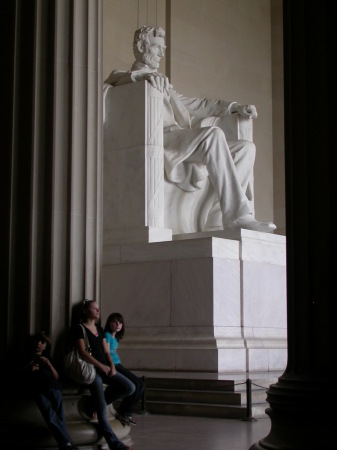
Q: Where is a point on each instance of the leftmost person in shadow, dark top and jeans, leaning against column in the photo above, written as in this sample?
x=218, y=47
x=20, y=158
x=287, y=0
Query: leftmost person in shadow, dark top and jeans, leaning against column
x=43, y=377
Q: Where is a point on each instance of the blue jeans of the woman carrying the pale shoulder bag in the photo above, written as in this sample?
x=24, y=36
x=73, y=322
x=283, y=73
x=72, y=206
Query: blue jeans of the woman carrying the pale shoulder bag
x=117, y=388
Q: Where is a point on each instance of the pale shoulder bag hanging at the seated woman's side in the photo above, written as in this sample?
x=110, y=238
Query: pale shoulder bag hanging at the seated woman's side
x=76, y=368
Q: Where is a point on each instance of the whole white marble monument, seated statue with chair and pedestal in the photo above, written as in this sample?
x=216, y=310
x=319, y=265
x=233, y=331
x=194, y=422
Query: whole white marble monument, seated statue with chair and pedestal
x=211, y=299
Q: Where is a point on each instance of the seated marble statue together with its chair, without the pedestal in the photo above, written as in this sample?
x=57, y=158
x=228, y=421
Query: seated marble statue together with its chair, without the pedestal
x=148, y=125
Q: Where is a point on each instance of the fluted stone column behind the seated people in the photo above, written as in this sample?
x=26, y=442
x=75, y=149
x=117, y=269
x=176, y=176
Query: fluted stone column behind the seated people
x=53, y=135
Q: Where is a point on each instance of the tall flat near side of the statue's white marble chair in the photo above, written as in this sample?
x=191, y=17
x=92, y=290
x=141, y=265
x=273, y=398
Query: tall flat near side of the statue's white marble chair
x=133, y=186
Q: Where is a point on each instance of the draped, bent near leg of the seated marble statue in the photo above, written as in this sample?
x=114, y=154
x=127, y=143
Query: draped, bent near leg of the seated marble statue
x=208, y=146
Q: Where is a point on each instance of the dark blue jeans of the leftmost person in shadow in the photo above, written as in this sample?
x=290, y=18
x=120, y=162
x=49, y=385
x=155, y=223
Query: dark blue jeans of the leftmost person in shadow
x=51, y=407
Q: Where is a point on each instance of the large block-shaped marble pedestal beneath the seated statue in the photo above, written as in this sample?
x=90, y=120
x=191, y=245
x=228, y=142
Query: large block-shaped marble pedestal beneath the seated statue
x=213, y=303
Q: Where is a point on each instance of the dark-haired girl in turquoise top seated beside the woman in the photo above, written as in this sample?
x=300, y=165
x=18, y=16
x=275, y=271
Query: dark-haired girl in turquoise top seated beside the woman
x=114, y=332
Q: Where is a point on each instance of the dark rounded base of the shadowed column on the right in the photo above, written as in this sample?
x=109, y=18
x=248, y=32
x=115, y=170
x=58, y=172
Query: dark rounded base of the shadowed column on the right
x=302, y=416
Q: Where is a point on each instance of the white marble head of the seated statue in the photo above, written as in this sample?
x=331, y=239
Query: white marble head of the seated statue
x=149, y=45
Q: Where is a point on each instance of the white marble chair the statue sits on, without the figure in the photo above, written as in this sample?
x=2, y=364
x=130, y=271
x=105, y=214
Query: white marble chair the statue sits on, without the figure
x=139, y=203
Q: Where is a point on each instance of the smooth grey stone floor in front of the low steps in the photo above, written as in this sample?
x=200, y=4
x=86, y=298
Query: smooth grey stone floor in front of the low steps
x=161, y=432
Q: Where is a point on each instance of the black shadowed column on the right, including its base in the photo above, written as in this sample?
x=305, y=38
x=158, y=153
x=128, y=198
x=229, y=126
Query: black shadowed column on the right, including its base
x=302, y=402
